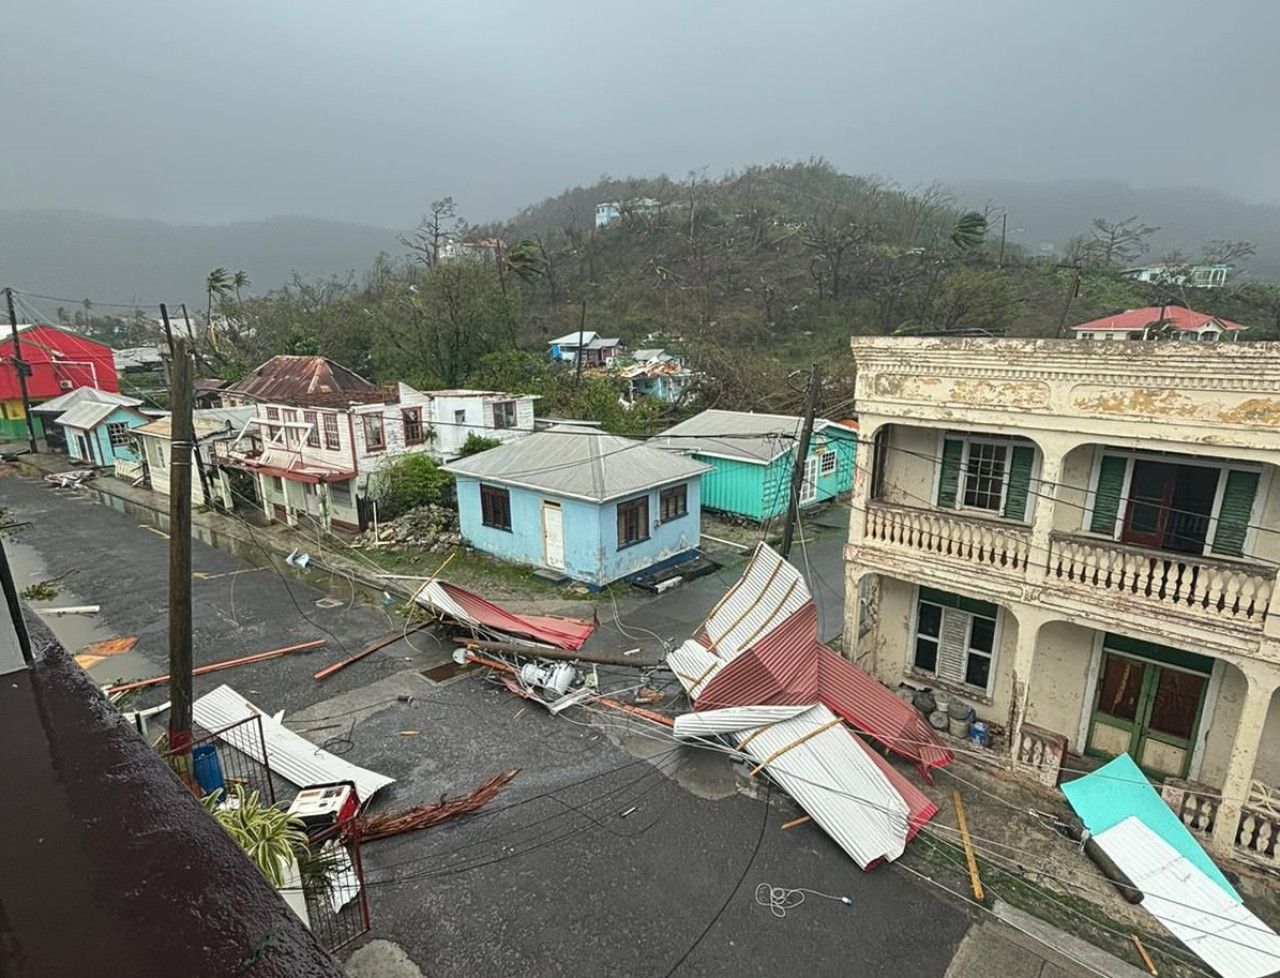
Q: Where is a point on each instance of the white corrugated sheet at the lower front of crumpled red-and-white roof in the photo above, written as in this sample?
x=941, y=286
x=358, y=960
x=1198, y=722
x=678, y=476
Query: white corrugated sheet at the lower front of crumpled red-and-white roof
x=834, y=778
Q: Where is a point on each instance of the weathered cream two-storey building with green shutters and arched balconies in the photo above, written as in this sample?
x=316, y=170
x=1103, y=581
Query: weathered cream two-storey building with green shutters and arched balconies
x=1080, y=542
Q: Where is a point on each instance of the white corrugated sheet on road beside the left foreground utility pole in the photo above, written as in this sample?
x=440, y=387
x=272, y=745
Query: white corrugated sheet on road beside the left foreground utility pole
x=290, y=756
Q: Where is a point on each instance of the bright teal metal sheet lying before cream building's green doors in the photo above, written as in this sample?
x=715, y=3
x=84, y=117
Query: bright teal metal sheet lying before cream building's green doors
x=1118, y=790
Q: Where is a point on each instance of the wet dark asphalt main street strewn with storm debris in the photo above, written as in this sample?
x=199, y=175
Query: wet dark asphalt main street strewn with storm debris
x=555, y=880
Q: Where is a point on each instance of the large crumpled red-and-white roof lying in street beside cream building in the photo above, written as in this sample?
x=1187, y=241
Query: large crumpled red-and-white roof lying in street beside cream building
x=762, y=678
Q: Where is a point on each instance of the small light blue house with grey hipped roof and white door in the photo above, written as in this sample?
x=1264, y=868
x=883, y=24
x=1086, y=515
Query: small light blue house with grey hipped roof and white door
x=592, y=506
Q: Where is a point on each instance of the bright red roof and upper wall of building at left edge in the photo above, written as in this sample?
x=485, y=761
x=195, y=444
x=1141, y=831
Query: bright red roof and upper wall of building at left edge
x=57, y=358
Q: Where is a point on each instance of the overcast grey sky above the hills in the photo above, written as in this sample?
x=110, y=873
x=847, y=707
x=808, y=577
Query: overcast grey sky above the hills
x=367, y=109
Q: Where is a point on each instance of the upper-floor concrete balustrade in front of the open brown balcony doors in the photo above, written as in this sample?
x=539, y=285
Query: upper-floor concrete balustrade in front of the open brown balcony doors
x=1223, y=592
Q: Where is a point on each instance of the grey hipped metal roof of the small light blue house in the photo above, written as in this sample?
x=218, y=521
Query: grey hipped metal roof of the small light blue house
x=578, y=463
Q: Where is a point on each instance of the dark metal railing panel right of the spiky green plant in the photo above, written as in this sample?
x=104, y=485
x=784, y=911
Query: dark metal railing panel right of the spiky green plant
x=337, y=901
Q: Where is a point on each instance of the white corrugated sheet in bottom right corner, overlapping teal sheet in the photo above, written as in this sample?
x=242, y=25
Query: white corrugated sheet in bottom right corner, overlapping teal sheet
x=1197, y=912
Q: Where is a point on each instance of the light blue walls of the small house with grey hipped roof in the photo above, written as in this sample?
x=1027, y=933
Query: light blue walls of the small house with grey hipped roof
x=592, y=551
